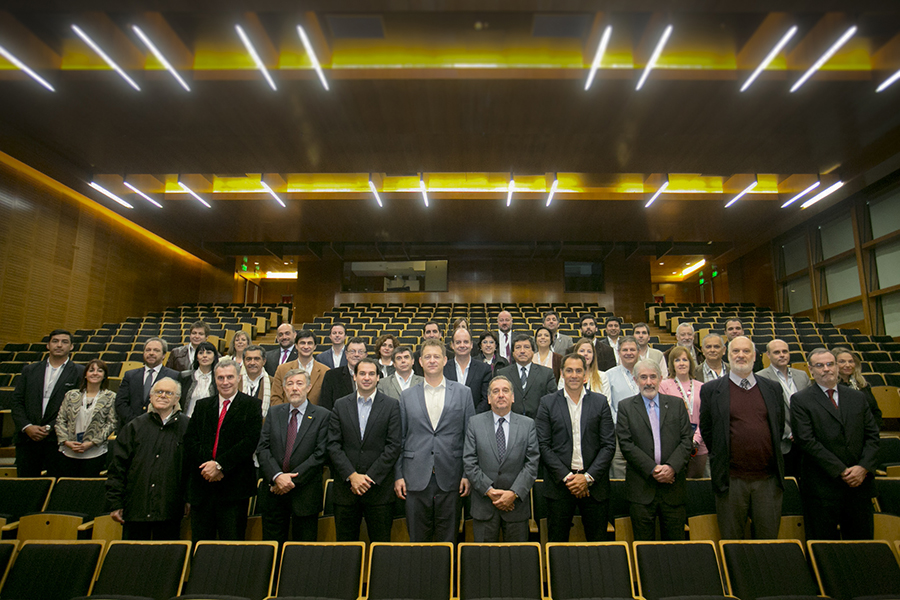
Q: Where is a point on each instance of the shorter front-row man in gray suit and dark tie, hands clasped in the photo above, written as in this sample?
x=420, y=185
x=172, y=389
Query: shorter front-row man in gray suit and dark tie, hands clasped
x=501, y=460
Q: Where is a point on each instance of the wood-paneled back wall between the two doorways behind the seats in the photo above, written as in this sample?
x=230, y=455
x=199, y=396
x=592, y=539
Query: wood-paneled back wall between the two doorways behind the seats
x=318, y=287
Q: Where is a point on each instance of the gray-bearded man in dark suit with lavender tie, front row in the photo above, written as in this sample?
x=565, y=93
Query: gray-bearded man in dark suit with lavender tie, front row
x=655, y=435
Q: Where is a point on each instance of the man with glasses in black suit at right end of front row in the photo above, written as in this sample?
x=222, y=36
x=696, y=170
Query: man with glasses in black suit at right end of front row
x=837, y=433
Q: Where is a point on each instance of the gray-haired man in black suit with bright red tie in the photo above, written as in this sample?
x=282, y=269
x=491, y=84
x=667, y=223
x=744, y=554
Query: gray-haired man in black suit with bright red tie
x=219, y=444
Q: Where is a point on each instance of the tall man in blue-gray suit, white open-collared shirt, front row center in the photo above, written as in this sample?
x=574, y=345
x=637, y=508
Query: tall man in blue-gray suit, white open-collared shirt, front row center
x=429, y=473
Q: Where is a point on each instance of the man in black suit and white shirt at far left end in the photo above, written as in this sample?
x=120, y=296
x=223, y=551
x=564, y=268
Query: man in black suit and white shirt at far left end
x=35, y=403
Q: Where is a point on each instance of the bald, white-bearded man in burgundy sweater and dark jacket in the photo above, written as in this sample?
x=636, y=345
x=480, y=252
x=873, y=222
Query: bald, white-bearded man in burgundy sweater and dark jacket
x=742, y=422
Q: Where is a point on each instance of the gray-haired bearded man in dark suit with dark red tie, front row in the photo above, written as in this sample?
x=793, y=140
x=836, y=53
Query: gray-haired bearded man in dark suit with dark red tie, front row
x=292, y=451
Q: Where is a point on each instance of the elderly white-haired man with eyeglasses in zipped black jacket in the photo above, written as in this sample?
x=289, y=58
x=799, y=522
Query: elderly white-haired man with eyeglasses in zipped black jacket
x=145, y=485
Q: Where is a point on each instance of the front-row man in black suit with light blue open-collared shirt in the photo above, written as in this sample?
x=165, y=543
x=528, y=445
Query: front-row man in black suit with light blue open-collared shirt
x=363, y=444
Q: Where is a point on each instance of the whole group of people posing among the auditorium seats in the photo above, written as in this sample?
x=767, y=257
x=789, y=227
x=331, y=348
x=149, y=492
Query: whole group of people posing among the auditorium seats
x=433, y=425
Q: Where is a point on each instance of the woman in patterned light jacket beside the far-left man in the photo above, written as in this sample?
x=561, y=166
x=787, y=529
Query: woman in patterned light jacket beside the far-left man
x=86, y=419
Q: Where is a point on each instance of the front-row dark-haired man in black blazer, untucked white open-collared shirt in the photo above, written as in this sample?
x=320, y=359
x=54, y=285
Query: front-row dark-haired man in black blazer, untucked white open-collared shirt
x=576, y=459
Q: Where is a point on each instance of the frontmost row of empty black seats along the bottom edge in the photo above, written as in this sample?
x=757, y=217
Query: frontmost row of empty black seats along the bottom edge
x=348, y=571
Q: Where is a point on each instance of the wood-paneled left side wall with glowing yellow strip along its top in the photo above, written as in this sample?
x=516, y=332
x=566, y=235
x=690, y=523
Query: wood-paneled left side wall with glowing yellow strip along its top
x=66, y=261
